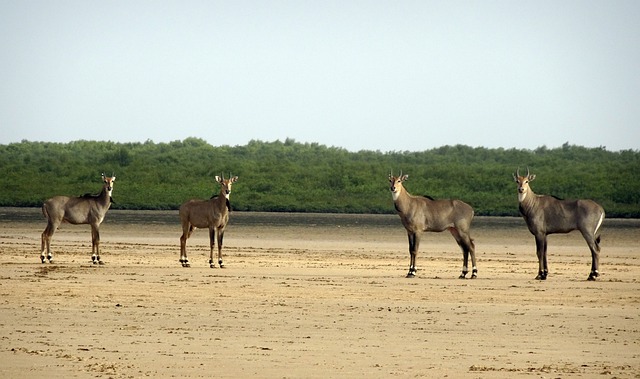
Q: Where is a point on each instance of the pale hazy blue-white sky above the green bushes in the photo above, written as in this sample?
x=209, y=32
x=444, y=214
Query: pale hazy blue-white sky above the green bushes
x=374, y=75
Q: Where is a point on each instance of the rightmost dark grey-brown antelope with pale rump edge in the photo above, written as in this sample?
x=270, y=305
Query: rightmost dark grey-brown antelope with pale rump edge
x=546, y=215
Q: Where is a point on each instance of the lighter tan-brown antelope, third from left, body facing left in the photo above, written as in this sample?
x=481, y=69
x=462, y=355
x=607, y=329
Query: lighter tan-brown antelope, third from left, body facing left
x=424, y=214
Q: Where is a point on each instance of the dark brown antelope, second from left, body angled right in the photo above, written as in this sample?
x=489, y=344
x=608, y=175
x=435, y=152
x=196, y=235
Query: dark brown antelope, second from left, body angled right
x=212, y=214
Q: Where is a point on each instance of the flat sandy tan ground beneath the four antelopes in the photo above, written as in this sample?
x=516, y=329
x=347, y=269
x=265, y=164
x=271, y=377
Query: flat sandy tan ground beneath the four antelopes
x=313, y=300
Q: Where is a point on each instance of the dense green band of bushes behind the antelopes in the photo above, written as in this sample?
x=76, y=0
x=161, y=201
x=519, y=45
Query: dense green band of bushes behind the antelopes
x=291, y=176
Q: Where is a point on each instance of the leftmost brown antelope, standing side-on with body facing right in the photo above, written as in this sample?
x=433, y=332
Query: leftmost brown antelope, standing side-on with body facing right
x=86, y=209
